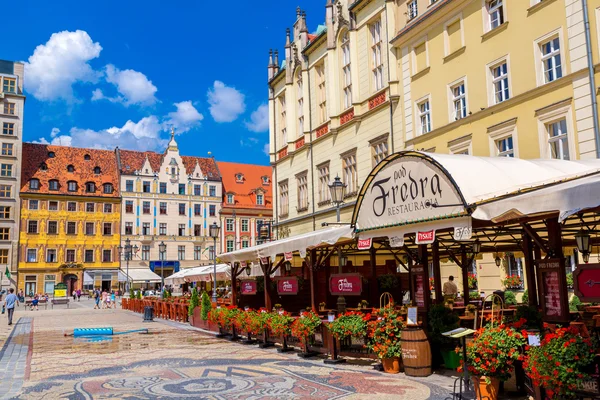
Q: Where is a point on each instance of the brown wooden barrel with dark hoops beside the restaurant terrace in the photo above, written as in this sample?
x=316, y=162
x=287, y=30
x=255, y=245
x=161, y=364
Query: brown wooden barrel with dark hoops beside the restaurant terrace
x=416, y=352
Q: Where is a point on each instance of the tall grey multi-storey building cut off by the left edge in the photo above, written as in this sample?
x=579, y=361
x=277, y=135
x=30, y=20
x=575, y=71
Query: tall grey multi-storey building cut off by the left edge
x=12, y=104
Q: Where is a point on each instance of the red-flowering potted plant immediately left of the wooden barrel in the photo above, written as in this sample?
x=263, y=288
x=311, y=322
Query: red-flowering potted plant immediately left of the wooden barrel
x=384, y=338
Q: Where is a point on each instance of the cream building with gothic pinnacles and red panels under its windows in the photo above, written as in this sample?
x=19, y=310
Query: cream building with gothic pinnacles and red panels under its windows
x=332, y=112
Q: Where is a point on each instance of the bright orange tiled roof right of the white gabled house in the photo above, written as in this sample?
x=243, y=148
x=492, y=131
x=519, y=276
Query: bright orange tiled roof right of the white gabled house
x=245, y=190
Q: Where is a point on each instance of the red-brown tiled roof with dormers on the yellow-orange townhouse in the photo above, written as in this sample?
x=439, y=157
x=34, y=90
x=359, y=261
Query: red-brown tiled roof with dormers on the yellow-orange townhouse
x=35, y=155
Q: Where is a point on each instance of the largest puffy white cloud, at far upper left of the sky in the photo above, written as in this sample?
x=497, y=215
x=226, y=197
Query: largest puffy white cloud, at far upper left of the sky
x=55, y=66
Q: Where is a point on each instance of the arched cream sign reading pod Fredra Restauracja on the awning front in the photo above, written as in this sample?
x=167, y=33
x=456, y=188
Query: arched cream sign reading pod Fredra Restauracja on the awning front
x=408, y=189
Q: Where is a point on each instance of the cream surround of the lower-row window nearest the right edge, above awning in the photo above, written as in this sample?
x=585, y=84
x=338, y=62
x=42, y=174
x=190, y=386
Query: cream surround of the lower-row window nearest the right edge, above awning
x=547, y=117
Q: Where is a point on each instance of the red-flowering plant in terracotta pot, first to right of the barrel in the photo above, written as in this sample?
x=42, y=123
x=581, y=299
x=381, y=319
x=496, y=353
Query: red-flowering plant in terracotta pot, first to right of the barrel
x=491, y=357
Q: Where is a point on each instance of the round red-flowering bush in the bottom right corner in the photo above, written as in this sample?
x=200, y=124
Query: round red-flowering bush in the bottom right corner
x=559, y=363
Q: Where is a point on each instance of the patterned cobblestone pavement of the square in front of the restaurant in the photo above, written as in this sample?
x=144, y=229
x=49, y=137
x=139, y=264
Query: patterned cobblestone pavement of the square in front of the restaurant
x=171, y=362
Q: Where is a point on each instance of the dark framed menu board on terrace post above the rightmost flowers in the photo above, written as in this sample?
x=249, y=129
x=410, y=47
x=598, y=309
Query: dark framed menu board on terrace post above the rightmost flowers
x=553, y=290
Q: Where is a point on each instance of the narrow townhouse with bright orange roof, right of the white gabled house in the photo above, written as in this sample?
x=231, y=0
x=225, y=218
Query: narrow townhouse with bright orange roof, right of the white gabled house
x=247, y=210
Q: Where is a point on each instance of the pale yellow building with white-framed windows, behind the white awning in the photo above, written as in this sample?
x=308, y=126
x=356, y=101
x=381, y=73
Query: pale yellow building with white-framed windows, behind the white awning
x=504, y=78
